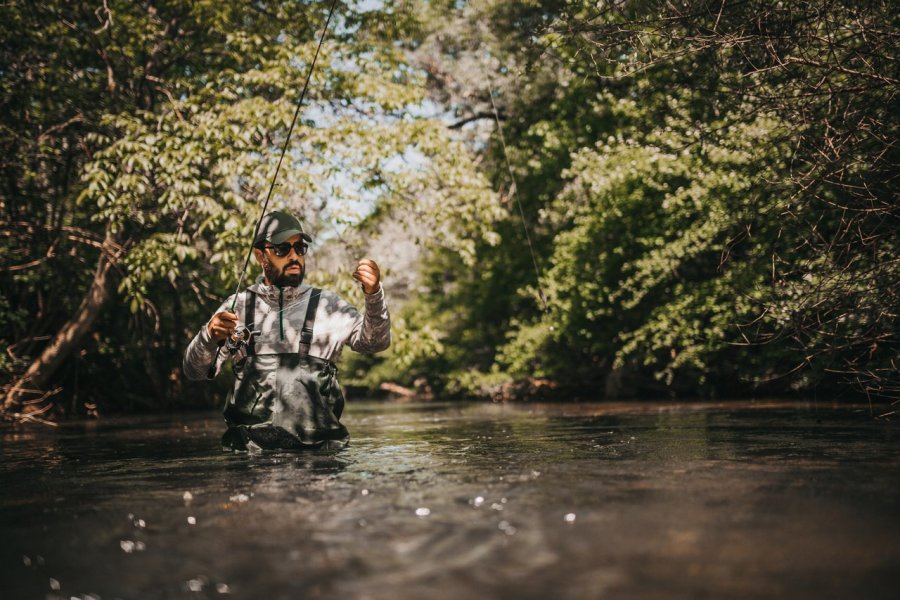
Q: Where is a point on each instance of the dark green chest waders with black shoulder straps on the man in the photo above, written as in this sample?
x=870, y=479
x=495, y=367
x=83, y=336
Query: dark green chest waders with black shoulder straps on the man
x=288, y=401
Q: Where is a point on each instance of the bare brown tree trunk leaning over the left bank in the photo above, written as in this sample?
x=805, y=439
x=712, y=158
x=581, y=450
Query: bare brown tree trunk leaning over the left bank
x=66, y=340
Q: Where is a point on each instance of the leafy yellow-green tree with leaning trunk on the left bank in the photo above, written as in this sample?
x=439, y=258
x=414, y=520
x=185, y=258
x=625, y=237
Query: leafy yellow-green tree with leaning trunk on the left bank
x=184, y=109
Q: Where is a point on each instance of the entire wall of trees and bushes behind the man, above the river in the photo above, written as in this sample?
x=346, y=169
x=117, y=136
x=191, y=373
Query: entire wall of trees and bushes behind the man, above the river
x=709, y=190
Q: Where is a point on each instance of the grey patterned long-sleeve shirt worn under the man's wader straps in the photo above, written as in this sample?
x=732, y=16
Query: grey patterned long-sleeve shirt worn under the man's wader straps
x=278, y=329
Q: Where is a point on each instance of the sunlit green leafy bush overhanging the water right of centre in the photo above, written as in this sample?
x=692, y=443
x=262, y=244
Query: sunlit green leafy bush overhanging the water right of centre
x=637, y=271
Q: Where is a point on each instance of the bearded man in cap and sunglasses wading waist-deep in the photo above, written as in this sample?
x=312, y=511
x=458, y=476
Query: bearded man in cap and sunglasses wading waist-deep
x=286, y=394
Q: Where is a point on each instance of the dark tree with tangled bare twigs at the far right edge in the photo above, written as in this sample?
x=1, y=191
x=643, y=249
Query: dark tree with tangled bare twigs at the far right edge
x=829, y=69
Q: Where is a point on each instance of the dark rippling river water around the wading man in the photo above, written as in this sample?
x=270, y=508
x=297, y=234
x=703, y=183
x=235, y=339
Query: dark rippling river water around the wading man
x=451, y=501
